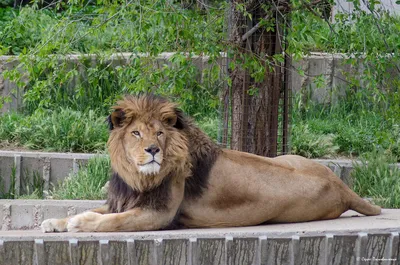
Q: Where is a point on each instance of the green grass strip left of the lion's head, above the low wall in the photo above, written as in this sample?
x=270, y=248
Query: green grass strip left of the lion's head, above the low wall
x=63, y=130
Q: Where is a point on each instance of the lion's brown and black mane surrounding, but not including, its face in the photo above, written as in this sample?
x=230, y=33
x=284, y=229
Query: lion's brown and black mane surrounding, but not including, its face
x=189, y=155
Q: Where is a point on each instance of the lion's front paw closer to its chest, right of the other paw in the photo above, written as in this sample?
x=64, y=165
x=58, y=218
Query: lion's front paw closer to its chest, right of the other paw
x=84, y=222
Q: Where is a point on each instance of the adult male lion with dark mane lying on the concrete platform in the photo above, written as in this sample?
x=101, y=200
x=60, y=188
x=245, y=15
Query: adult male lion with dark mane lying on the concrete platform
x=167, y=172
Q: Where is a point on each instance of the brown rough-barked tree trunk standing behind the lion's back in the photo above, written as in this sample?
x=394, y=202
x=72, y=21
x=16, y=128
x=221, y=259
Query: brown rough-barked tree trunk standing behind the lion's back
x=255, y=105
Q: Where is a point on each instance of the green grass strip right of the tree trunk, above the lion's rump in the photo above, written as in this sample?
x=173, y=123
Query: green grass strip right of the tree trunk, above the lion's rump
x=348, y=129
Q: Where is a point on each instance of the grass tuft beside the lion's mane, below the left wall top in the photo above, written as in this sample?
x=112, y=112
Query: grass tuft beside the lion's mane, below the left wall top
x=87, y=183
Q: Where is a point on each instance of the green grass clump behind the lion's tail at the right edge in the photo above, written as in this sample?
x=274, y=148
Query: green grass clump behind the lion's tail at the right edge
x=376, y=177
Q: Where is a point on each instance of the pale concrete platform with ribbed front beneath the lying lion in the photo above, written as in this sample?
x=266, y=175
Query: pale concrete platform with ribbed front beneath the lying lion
x=351, y=239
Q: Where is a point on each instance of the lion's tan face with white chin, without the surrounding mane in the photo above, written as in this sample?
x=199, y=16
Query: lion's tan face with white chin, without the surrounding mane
x=144, y=144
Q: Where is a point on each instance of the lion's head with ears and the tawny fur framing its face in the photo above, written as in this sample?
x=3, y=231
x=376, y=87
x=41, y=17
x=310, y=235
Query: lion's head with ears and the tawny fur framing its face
x=146, y=142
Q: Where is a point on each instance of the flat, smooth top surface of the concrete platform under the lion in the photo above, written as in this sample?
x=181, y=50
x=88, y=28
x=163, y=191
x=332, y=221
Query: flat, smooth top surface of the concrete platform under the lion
x=349, y=223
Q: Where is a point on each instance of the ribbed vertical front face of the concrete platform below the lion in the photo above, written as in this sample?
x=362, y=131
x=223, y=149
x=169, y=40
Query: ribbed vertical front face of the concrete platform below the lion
x=361, y=248
